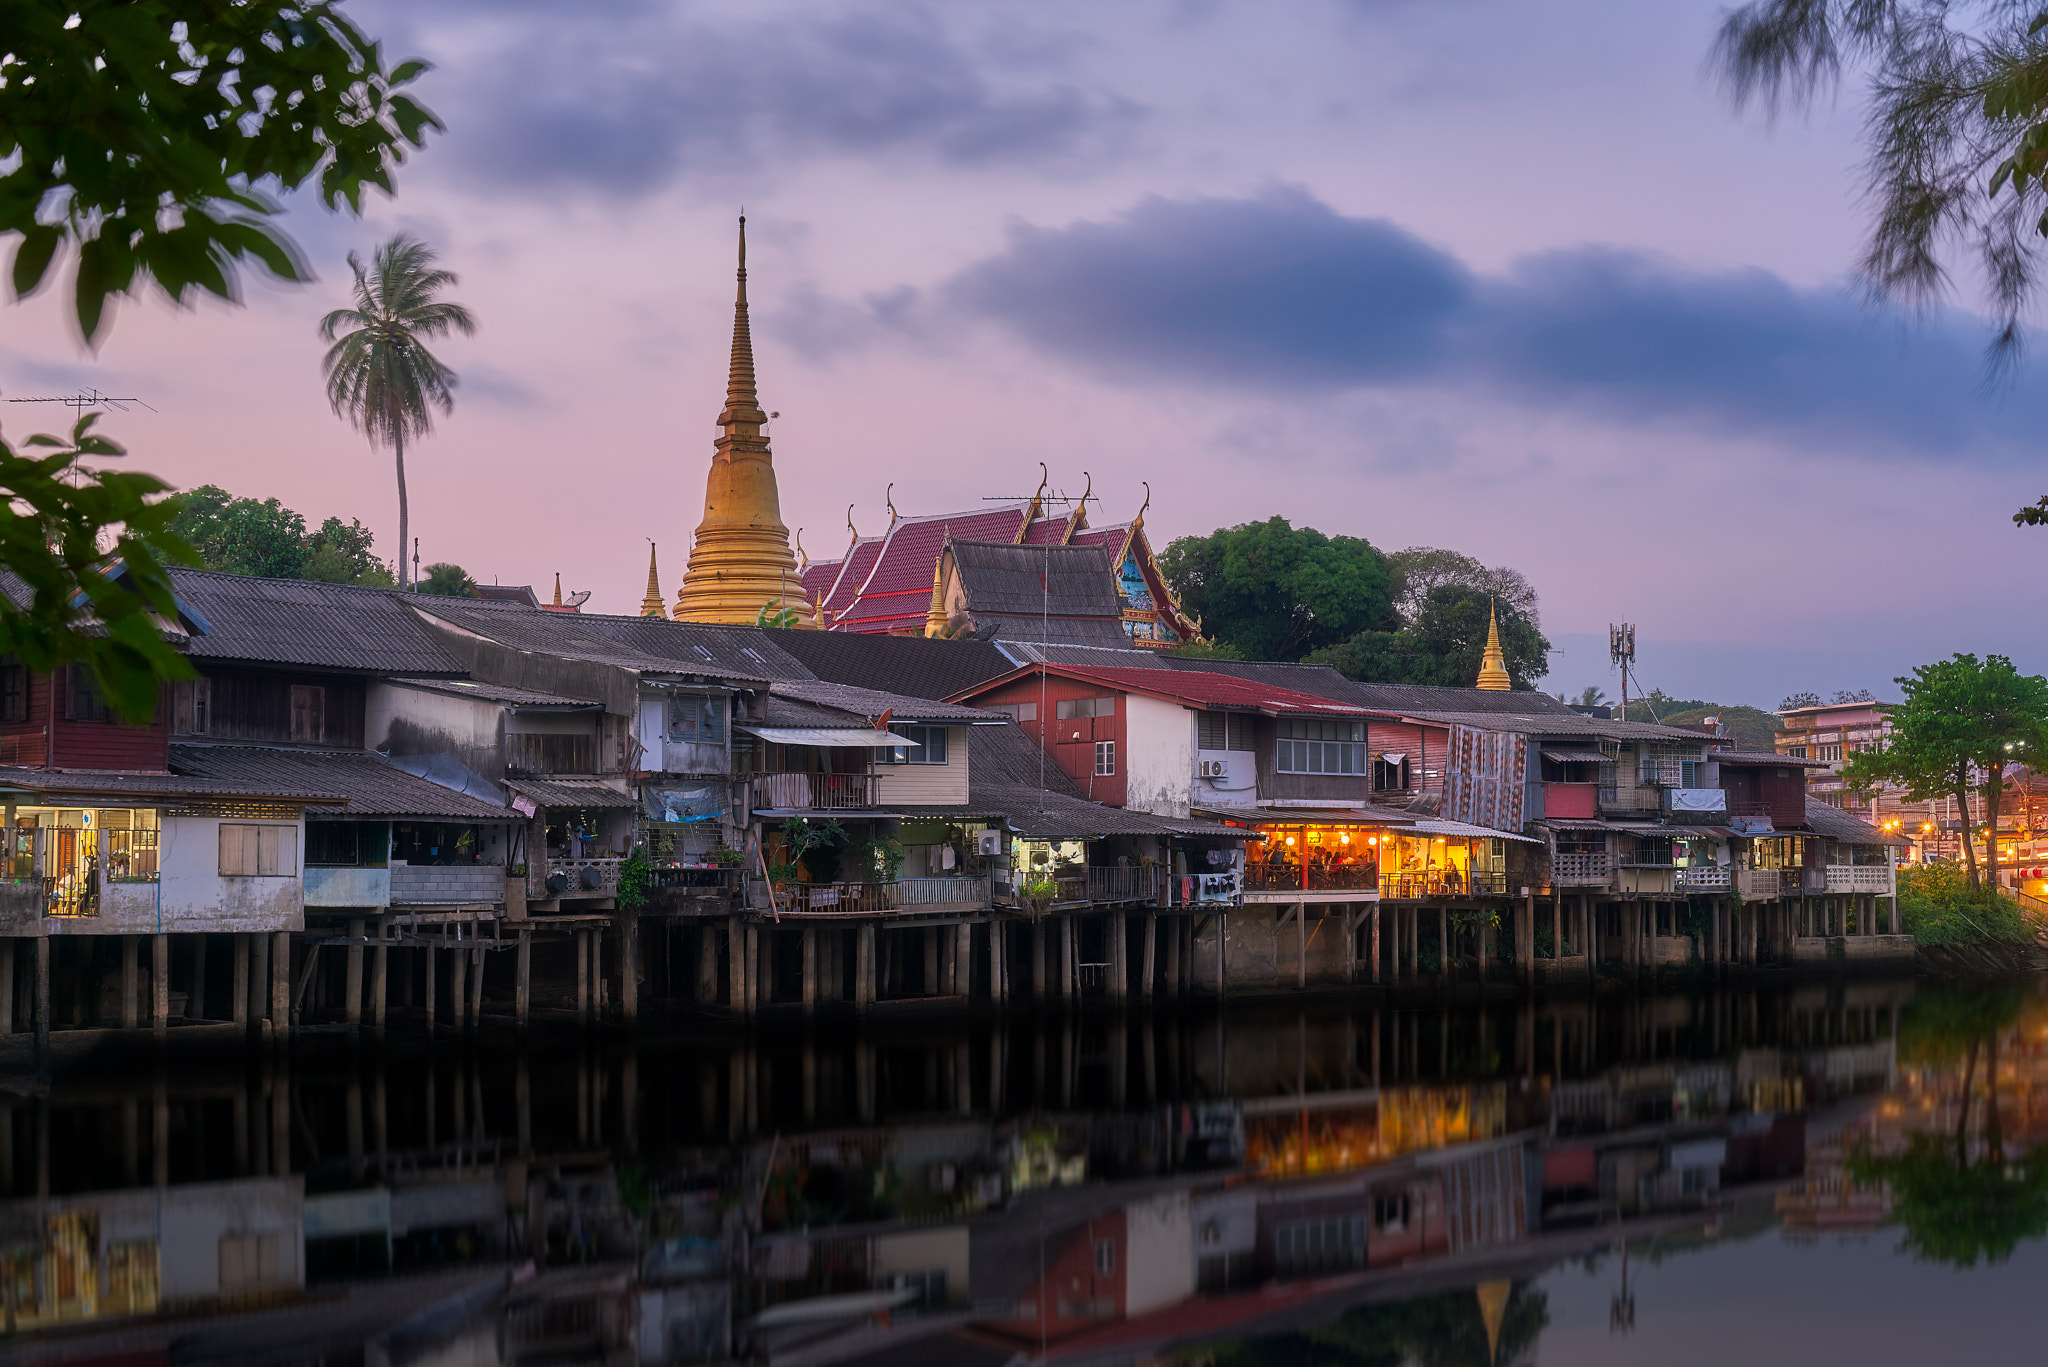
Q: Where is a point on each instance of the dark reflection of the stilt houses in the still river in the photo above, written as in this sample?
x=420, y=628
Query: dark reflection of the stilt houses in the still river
x=1258, y=1188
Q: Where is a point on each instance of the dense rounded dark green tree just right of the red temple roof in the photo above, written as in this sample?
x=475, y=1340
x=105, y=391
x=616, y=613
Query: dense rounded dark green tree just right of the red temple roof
x=1279, y=591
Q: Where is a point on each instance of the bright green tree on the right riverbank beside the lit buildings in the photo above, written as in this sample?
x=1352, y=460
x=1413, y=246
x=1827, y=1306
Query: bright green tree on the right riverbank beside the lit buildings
x=1961, y=727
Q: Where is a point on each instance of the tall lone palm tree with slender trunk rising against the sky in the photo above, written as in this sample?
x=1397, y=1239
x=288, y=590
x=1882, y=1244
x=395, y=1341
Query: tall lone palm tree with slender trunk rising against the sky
x=380, y=372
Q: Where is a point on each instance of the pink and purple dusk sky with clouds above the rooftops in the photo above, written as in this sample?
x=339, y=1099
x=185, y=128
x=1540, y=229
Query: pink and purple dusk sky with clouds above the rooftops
x=1465, y=274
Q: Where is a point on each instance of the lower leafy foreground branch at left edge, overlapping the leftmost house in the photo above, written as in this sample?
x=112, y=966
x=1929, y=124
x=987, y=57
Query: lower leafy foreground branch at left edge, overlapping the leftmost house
x=85, y=558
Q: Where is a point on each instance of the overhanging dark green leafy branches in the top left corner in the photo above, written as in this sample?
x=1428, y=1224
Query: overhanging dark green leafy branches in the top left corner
x=144, y=136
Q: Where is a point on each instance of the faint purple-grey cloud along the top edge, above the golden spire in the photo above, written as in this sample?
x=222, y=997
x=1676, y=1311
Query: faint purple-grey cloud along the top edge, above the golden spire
x=644, y=95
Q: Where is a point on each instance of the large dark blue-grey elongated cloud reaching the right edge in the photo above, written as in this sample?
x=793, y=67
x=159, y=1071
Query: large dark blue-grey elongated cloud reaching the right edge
x=1283, y=292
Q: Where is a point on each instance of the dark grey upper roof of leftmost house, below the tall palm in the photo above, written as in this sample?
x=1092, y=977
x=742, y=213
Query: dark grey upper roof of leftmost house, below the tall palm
x=314, y=626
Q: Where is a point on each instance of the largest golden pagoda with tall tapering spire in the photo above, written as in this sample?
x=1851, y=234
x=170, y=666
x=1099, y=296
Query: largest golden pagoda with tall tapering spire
x=740, y=561
